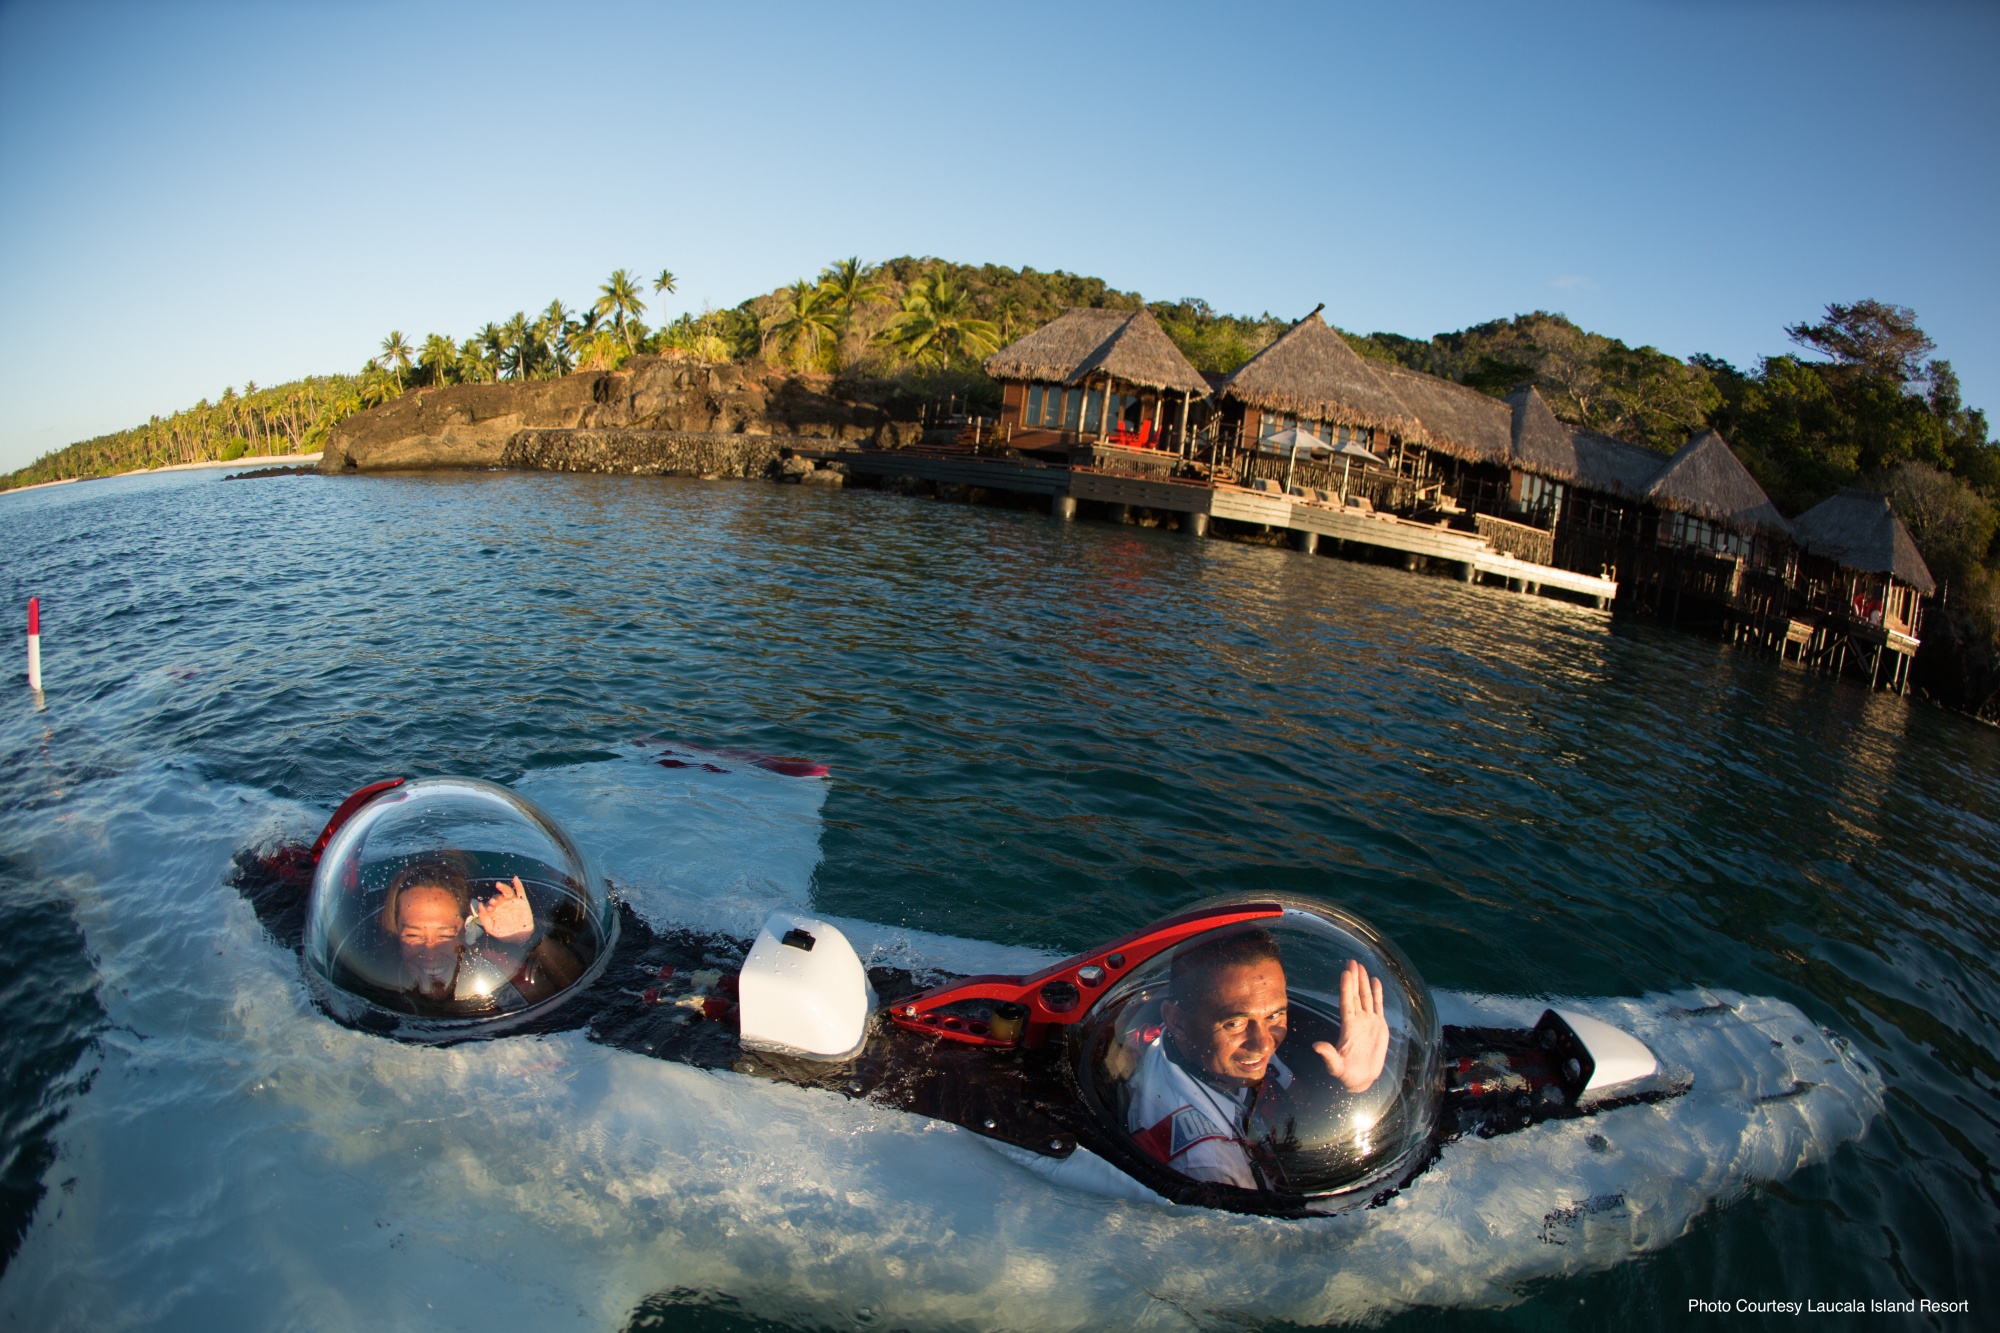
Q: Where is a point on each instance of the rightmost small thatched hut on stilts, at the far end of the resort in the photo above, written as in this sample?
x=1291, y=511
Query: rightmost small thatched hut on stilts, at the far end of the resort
x=1859, y=587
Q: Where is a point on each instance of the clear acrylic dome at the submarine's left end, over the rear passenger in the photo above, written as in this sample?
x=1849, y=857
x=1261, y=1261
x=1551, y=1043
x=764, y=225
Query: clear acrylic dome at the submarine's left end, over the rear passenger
x=451, y=906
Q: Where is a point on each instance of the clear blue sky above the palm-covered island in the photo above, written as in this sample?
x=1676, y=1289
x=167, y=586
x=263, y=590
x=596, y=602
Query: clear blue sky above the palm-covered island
x=203, y=195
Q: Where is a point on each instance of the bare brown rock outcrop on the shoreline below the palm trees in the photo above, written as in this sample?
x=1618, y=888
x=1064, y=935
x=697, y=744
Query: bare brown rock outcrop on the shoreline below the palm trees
x=653, y=415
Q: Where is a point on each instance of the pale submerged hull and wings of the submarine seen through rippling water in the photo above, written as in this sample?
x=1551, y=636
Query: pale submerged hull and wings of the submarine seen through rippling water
x=245, y=1162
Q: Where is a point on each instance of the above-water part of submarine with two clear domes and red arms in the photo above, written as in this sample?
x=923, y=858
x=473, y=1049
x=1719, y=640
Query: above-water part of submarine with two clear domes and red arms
x=1255, y=1054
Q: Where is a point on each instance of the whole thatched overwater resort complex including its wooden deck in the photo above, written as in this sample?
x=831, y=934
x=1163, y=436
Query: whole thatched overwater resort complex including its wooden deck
x=1433, y=473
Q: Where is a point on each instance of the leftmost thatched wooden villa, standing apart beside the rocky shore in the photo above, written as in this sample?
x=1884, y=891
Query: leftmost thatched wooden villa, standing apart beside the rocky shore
x=1107, y=377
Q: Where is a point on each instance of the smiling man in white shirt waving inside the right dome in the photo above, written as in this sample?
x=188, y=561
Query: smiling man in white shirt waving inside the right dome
x=1211, y=1096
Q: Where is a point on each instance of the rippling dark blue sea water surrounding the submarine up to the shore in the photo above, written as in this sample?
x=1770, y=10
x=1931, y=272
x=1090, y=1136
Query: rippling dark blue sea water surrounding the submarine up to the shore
x=1039, y=736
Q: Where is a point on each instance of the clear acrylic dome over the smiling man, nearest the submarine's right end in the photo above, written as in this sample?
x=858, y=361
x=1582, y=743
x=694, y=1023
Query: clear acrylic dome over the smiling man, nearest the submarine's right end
x=1225, y=1060
